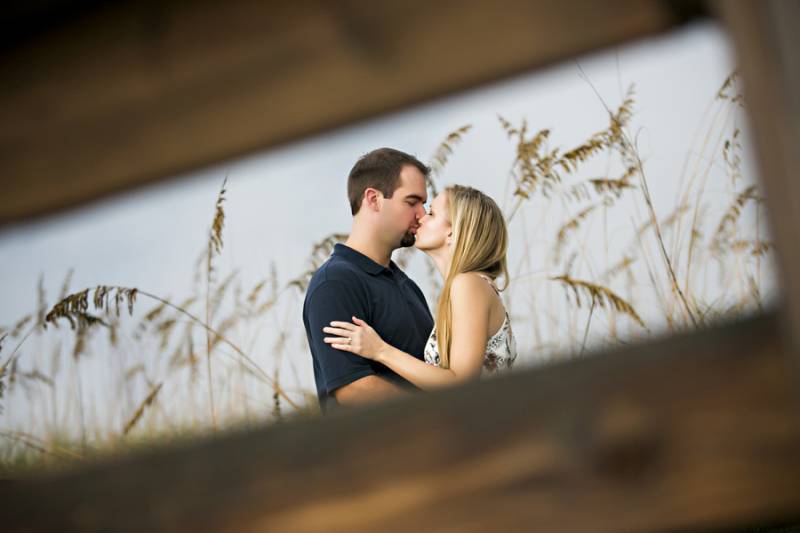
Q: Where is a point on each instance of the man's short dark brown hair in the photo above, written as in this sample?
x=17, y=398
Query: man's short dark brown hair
x=379, y=169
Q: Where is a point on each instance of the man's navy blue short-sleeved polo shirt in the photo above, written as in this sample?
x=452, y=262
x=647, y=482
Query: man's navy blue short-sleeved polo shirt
x=351, y=284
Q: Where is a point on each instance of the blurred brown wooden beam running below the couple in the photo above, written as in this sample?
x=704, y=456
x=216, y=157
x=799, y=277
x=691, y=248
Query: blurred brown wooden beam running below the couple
x=691, y=433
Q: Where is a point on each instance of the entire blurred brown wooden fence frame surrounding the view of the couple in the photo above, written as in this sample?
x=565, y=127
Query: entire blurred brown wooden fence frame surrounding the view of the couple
x=696, y=432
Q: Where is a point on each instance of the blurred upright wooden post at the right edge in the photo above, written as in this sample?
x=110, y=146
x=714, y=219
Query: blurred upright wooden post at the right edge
x=767, y=41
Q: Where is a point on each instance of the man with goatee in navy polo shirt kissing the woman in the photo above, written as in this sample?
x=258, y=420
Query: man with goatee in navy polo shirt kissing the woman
x=387, y=193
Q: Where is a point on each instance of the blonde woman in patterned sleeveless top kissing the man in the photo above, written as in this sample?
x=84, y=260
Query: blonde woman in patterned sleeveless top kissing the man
x=465, y=234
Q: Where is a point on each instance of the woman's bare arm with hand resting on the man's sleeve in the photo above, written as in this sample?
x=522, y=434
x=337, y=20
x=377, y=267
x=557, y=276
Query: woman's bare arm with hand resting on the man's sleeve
x=471, y=300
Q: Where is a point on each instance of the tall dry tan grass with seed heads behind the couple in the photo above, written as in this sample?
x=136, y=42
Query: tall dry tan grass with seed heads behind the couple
x=183, y=366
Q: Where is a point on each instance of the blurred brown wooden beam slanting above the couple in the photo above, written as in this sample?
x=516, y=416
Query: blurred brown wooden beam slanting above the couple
x=131, y=92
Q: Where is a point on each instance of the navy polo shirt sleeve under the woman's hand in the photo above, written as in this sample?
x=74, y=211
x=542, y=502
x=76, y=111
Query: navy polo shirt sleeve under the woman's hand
x=333, y=300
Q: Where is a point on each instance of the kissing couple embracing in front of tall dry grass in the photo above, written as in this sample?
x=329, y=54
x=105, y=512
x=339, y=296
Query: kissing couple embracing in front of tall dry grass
x=369, y=328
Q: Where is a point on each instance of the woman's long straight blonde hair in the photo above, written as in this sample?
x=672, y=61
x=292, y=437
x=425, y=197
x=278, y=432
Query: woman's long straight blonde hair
x=480, y=241
